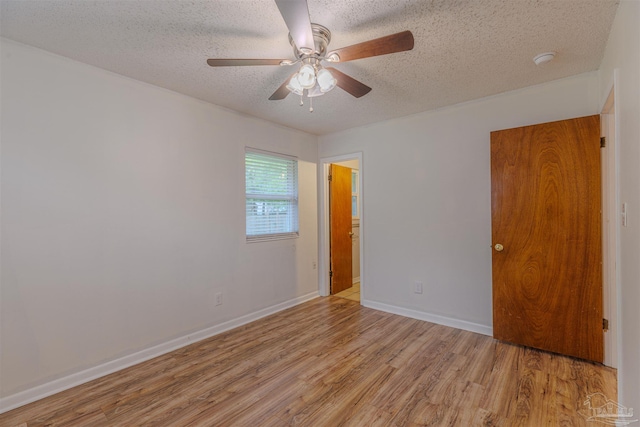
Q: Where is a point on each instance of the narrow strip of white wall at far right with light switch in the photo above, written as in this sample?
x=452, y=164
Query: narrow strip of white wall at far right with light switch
x=623, y=54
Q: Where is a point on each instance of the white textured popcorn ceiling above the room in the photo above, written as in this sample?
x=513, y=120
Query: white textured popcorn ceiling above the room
x=464, y=49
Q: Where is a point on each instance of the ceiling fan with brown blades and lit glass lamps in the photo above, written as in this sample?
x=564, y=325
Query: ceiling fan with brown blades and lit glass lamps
x=310, y=42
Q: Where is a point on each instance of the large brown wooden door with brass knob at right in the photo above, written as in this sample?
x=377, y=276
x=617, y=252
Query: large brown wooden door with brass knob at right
x=545, y=213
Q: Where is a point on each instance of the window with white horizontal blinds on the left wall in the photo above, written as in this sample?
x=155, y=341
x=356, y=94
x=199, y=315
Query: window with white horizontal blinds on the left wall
x=271, y=187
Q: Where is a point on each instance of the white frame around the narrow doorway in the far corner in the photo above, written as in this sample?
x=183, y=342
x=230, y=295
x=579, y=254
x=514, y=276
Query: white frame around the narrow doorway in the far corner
x=324, y=281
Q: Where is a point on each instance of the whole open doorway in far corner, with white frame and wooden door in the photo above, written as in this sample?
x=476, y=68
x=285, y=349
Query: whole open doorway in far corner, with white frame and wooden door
x=341, y=245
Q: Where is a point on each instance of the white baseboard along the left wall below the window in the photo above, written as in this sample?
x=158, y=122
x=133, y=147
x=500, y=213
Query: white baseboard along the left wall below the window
x=36, y=393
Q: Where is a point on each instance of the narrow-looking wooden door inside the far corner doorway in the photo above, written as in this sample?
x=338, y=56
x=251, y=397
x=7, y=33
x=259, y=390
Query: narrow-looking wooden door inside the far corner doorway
x=340, y=219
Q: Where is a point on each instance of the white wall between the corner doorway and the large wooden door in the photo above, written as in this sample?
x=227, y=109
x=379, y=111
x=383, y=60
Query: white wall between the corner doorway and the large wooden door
x=428, y=193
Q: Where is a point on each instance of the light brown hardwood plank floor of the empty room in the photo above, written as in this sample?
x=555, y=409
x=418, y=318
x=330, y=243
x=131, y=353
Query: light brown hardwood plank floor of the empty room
x=332, y=362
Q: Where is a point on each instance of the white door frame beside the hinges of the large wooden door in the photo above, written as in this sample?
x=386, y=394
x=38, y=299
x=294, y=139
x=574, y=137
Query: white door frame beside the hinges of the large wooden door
x=611, y=230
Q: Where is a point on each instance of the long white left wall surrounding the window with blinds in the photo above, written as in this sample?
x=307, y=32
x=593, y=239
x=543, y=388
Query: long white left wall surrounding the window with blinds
x=123, y=215
